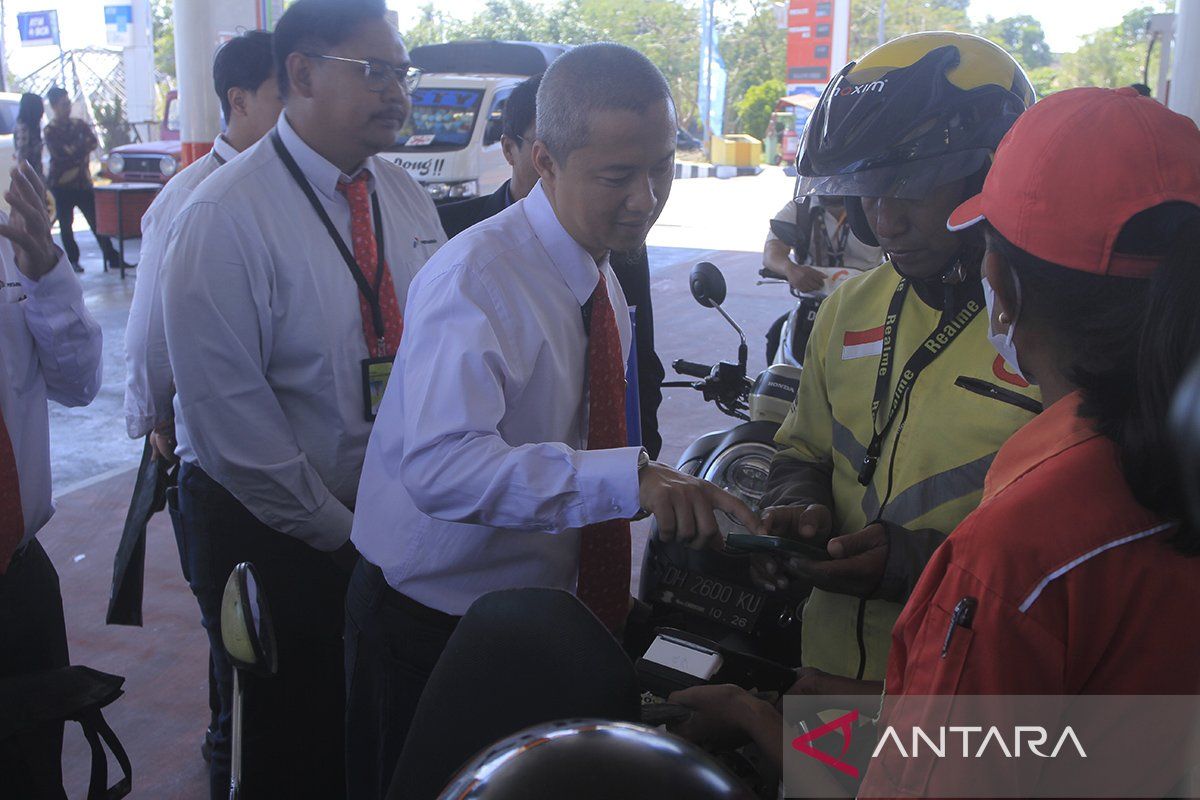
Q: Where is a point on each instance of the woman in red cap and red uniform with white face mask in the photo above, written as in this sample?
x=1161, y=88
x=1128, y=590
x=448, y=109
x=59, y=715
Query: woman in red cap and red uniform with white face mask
x=1077, y=570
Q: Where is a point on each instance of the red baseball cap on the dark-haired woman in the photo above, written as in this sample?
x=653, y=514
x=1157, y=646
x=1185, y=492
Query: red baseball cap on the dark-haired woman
x=1076, y=167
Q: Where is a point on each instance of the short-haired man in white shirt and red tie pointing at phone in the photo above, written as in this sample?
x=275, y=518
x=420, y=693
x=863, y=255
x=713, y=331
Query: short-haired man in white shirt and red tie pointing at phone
x=501, y=456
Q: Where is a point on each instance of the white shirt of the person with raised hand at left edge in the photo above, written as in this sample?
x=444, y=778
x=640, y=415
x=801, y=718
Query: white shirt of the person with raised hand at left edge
x=50, y=348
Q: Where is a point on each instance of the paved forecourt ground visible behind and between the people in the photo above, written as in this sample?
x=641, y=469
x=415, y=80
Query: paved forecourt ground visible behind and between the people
x=164, y=713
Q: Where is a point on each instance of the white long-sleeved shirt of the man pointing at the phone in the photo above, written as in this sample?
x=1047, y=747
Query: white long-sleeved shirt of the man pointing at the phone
x=477, y=477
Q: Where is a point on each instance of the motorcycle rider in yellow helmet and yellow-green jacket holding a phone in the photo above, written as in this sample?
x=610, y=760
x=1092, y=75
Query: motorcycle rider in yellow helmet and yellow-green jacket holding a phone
x=904, y=402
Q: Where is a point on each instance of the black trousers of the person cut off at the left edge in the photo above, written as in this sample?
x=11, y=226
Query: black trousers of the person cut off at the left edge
x=33, y=639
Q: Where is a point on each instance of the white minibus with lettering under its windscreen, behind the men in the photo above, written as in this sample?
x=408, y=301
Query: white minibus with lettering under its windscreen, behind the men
x=452, y=142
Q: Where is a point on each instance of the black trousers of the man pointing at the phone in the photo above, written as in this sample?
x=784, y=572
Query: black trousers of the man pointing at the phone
x=392, y=646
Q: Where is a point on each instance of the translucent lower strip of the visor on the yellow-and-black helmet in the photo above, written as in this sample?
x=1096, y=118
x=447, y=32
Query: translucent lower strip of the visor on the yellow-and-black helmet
x=911, y=181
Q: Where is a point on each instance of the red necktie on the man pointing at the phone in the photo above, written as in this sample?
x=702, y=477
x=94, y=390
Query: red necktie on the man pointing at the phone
x=604, y=548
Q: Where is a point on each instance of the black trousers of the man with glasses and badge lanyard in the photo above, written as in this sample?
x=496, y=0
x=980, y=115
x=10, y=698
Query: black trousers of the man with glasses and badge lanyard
x=293, y=721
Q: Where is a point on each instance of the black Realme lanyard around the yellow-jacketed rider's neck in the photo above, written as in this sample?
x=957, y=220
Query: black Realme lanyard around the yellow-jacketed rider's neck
x=955, y=321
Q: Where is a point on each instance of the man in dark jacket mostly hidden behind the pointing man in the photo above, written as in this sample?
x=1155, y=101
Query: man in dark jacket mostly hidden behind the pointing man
x=633, y=269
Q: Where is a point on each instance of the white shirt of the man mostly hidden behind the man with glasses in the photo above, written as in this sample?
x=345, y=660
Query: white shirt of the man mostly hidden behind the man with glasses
x=149, y=386
